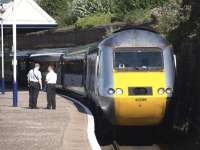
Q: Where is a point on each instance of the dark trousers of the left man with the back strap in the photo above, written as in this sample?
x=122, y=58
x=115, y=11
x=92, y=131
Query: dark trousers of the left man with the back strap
x=34, y=89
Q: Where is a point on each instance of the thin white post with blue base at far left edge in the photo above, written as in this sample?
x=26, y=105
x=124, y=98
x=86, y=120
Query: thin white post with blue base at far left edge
x=2, y=10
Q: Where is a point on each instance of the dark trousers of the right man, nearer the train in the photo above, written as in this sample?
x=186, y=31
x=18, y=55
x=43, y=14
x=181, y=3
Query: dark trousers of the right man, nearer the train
x=51, y=96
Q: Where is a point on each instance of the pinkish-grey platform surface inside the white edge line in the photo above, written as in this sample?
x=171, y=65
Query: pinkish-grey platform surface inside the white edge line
x=40, y=129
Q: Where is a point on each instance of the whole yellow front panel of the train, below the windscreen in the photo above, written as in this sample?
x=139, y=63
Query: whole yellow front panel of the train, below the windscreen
x=143, y=100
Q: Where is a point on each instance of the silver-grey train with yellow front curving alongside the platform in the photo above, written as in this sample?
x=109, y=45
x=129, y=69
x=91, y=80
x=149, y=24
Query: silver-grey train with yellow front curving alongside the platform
x=130, y=76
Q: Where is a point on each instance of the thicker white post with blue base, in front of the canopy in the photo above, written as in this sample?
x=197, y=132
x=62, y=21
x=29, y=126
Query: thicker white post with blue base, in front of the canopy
x=15, y=88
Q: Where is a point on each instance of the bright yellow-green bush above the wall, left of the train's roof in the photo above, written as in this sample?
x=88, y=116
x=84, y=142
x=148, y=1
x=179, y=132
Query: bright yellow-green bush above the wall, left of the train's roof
x=93, y=20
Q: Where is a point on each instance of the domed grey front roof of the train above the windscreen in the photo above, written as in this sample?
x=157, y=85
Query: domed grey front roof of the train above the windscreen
x=135, y=38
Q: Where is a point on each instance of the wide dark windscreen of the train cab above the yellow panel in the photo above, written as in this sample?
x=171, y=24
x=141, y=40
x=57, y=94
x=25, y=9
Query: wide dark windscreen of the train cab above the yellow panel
x=138, y=59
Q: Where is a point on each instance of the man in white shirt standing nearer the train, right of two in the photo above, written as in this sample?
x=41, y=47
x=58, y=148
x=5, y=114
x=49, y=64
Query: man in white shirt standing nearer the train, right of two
x=51, y=80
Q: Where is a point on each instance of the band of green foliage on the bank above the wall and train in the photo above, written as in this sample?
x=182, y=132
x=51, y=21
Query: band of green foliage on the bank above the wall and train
x=89, y=13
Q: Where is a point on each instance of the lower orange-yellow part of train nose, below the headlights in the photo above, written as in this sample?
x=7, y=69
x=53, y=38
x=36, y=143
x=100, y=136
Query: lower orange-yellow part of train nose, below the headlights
x=139, y=110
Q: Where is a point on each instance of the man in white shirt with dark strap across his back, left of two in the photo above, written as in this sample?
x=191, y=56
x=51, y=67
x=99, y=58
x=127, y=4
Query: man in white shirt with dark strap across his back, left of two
x=35, y=84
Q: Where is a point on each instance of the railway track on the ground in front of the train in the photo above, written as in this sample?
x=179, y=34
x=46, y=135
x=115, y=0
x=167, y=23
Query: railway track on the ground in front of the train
x=116, y=146
